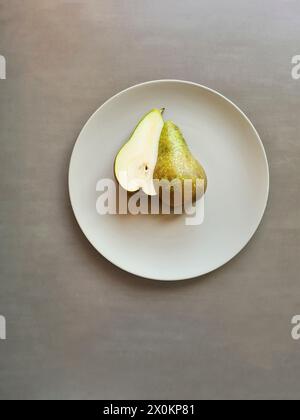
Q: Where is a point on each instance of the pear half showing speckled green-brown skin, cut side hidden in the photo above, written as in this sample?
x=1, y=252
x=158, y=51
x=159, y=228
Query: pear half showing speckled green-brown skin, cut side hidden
x=176, y=163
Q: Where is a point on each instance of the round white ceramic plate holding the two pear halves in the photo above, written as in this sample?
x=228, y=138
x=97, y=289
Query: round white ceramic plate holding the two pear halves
x=220, y=136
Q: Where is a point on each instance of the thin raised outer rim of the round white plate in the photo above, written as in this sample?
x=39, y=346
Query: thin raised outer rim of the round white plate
x=166, y=278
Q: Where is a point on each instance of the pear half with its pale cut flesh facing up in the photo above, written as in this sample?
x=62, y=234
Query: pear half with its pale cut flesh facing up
x=136, y=160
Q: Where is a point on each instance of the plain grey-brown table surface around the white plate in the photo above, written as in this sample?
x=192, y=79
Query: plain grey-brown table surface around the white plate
x=77, y=326
